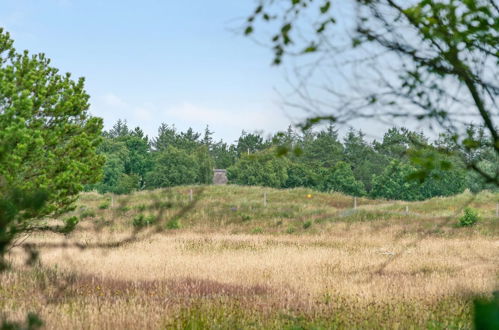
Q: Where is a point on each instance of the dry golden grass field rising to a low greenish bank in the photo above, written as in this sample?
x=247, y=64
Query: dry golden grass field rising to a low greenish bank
x=304, y=261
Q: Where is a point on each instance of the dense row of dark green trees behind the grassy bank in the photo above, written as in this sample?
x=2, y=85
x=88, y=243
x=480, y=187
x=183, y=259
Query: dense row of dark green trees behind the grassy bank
x=394, y=167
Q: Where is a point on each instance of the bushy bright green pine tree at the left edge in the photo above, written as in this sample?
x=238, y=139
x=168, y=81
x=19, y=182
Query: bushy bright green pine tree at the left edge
x=48, y=140
